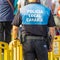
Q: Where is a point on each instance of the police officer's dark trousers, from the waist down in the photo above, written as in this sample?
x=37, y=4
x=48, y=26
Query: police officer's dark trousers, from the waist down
x=35, y=46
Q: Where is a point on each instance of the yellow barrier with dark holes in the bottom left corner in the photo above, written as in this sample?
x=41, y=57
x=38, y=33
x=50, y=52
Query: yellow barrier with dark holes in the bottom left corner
x=4, y=52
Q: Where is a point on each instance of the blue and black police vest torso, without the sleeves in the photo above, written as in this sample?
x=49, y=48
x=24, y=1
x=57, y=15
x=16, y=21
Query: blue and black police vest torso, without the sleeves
x=35, y=19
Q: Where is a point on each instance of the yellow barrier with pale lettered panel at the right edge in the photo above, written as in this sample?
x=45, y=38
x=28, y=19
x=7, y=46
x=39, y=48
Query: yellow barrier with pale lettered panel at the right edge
x=56, y=48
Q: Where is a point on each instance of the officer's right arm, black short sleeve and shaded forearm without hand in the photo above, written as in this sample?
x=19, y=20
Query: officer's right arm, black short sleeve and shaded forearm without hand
x=51, y=25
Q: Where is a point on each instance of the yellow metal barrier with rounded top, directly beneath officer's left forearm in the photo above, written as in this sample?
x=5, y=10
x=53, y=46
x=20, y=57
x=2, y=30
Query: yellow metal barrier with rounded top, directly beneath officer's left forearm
x=16, y=50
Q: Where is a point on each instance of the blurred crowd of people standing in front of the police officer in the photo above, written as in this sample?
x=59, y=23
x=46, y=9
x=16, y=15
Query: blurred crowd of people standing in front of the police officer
x=9, y=8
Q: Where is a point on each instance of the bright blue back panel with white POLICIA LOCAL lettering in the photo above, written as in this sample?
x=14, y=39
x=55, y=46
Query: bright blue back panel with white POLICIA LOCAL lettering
x=35, y=14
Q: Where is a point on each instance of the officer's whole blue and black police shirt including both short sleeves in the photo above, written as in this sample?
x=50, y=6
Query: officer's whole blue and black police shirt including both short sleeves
x=32, y=27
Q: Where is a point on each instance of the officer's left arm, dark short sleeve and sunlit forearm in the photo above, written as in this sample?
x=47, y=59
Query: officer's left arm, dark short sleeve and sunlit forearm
x=15, y=25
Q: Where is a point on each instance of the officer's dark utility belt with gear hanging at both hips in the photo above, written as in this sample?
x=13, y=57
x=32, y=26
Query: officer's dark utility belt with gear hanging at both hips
x=25, y=37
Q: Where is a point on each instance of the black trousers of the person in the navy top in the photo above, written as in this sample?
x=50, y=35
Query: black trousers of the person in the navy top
x=5, y=31
